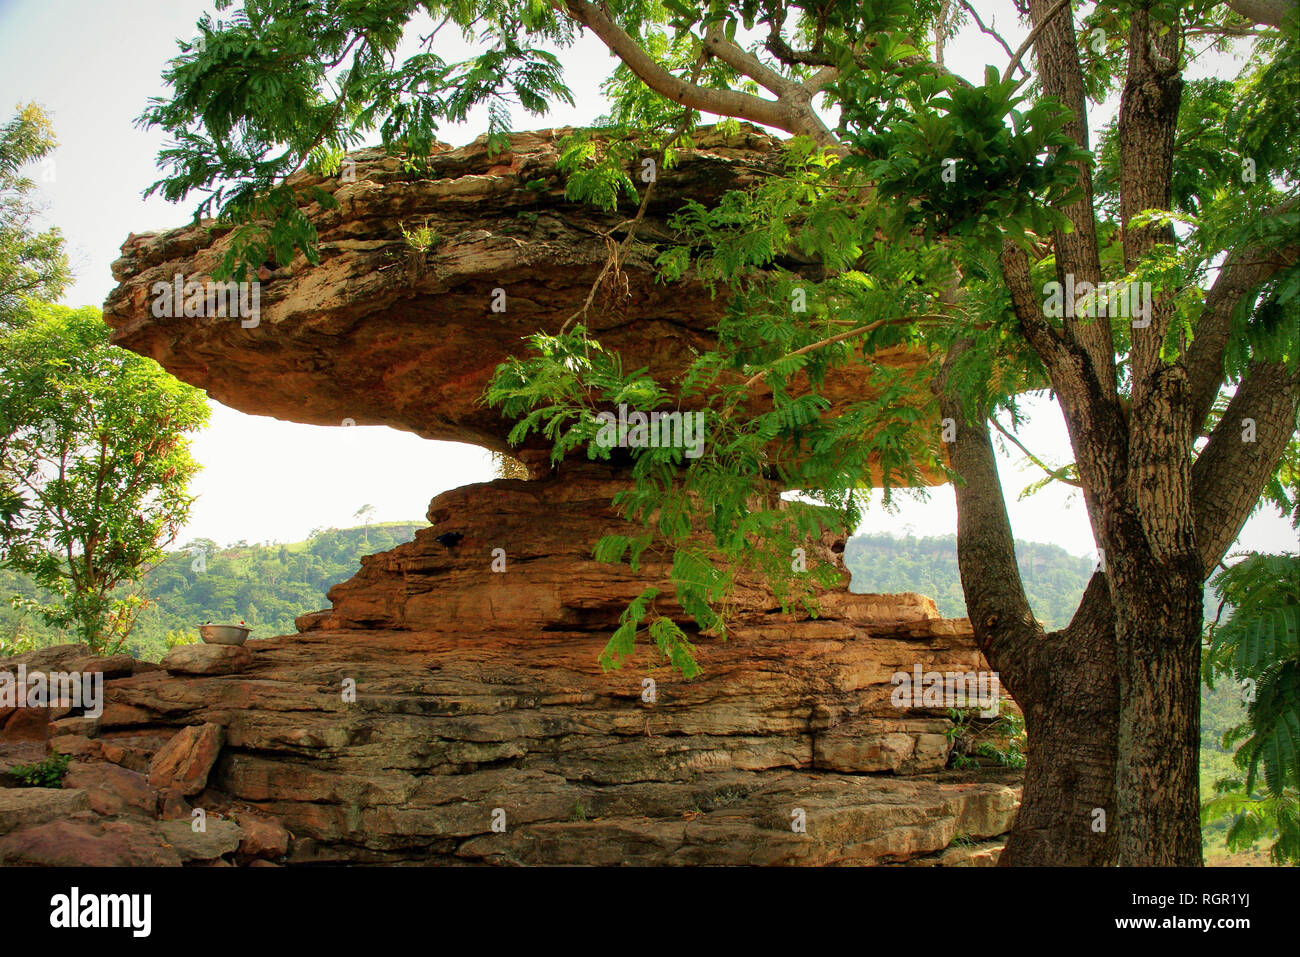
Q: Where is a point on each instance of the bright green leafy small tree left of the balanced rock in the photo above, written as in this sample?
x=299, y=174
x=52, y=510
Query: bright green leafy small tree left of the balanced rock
x=94, y=467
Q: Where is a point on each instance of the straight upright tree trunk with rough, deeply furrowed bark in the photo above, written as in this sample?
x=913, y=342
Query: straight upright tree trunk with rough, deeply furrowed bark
x=1156, y=575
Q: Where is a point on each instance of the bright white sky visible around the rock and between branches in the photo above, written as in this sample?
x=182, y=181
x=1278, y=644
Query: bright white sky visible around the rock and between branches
x=94, y=66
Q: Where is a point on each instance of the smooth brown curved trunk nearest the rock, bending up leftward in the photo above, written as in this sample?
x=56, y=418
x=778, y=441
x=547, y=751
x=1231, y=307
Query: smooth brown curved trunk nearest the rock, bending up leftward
x=1065, y=683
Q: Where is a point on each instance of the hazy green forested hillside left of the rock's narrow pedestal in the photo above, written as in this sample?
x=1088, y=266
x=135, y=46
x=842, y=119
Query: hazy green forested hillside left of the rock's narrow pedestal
x=263, y=586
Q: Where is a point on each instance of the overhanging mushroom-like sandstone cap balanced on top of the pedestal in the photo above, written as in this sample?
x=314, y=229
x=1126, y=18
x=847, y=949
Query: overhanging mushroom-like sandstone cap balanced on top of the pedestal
x=382, y=334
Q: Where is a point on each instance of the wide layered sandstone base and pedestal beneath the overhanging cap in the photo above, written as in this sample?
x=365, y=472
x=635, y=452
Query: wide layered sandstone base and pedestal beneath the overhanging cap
x=447, y=713
